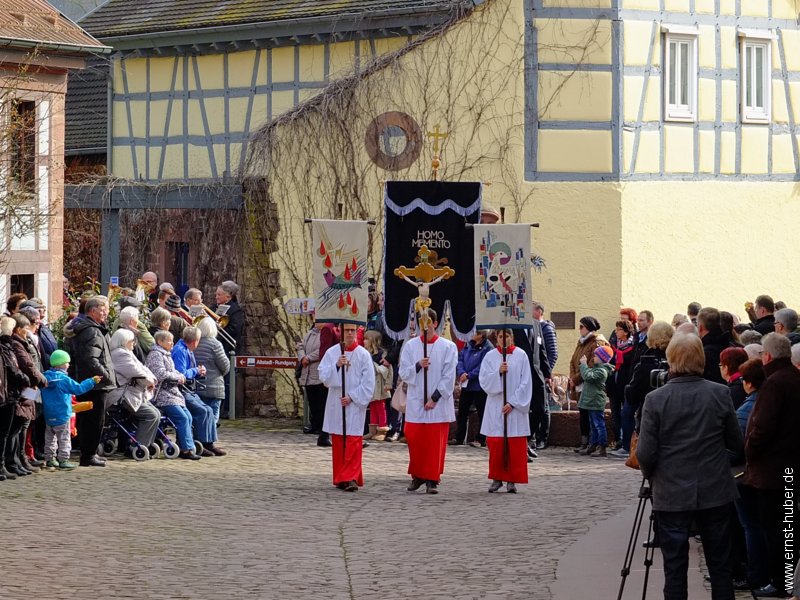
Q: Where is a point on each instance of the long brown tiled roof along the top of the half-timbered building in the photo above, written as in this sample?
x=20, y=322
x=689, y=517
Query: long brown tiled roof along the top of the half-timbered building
x=123, y=18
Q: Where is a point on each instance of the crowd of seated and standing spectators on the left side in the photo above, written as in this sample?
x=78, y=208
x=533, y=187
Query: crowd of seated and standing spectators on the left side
x=154, y=359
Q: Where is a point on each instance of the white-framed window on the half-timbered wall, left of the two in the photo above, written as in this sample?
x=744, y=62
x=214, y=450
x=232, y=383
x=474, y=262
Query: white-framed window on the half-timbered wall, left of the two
x=680, y=73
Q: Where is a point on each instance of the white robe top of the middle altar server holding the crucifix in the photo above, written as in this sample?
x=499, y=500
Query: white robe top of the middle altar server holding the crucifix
x=443, y=357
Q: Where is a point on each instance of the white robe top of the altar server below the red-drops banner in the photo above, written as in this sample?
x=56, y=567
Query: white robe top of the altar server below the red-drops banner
x=359, y=384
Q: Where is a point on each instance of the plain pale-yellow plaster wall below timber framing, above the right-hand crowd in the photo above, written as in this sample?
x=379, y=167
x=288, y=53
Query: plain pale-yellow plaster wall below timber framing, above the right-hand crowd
x=690, y=241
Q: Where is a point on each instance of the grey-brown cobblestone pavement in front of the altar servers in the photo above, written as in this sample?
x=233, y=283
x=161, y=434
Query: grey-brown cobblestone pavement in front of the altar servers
x=265, y=522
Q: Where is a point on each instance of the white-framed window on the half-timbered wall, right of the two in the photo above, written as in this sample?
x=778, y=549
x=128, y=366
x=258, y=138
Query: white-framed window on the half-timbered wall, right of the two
x=756, y=74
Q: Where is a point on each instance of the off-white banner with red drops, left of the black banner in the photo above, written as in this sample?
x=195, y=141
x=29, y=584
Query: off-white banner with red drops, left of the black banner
x=339, y=274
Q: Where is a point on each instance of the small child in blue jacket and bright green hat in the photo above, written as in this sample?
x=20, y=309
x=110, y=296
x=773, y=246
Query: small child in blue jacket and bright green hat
x=57, y=406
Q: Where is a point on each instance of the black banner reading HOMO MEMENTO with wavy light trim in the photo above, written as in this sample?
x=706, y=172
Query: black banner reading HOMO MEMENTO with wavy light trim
x=433, y=214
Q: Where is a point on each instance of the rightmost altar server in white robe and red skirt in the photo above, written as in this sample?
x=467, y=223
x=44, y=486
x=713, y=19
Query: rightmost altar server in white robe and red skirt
x=514, y=468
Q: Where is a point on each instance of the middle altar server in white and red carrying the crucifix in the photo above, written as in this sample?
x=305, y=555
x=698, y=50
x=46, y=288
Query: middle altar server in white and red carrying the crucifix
x=427, y=422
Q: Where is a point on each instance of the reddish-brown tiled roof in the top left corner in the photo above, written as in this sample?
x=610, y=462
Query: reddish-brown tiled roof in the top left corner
x=36, y=24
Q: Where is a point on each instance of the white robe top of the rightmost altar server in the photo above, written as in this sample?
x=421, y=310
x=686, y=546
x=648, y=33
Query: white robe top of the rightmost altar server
x=518, y=393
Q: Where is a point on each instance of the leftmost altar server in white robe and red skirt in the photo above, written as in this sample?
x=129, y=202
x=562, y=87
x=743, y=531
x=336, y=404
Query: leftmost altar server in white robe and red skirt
x=359, y=385
